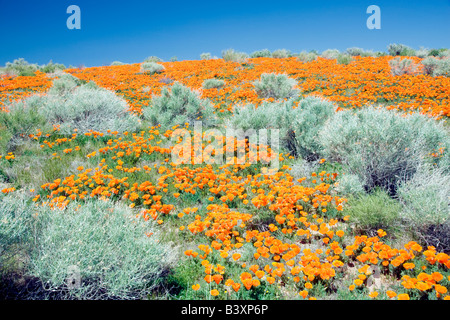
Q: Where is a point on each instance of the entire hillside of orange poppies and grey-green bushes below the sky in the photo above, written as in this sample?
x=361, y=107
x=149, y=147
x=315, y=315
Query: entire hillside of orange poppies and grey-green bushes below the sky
x=93, y=205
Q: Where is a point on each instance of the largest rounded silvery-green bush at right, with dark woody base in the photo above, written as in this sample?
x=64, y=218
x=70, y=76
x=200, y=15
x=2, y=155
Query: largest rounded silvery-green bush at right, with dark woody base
x=380, y=146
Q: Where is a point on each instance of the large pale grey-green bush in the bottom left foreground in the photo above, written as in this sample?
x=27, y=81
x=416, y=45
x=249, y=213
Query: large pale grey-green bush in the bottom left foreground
x=106, y=244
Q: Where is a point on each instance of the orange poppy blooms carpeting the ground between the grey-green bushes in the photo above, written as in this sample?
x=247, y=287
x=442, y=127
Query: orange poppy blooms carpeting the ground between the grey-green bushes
x=237, y=231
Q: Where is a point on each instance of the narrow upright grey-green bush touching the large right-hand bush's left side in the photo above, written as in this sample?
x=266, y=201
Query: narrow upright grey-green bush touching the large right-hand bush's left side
x=312, y=114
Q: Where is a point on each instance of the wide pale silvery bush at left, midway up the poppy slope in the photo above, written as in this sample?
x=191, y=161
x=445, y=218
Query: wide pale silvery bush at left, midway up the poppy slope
x=87, y=108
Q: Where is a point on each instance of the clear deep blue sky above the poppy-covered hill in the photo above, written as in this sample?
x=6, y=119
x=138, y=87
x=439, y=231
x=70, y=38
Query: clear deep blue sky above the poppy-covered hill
x=130, y=30
